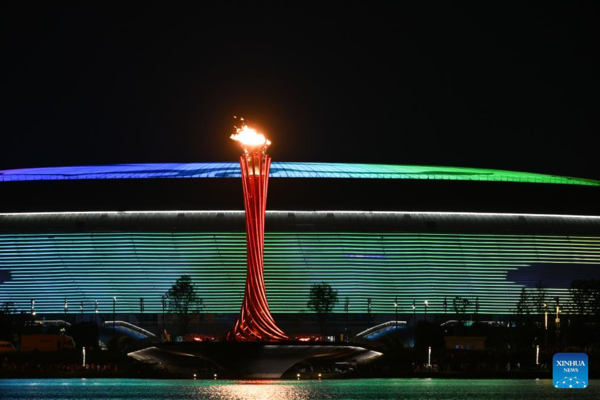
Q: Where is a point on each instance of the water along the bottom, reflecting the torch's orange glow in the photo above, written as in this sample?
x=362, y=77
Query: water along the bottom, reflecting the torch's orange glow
x=287, y=390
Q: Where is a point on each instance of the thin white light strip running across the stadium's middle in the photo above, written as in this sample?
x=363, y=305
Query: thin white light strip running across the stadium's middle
x=236, y=212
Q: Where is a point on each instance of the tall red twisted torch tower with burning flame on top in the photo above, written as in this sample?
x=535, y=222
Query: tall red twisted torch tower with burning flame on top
x=255, y=322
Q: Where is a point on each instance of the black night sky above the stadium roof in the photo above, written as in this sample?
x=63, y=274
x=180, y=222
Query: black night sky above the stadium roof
x=502, y=86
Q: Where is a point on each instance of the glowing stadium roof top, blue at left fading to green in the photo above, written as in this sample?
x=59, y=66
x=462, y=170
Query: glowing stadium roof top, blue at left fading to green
x=284, y=170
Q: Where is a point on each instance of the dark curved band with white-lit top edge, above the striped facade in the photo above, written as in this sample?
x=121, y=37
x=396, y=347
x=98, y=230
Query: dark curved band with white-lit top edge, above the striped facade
x=332, y=221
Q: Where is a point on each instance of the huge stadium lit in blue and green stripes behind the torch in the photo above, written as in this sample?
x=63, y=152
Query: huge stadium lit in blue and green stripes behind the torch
x=74, y=238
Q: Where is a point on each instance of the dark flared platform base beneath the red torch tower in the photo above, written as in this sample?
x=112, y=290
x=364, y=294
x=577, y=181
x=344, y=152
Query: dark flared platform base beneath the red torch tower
x=252, y=360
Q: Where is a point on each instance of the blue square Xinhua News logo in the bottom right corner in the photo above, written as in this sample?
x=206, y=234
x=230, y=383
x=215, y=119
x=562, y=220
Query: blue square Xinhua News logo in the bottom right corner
x=570, y=370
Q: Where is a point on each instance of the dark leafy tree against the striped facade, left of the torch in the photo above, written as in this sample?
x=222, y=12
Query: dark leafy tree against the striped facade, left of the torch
x=183, y=299
